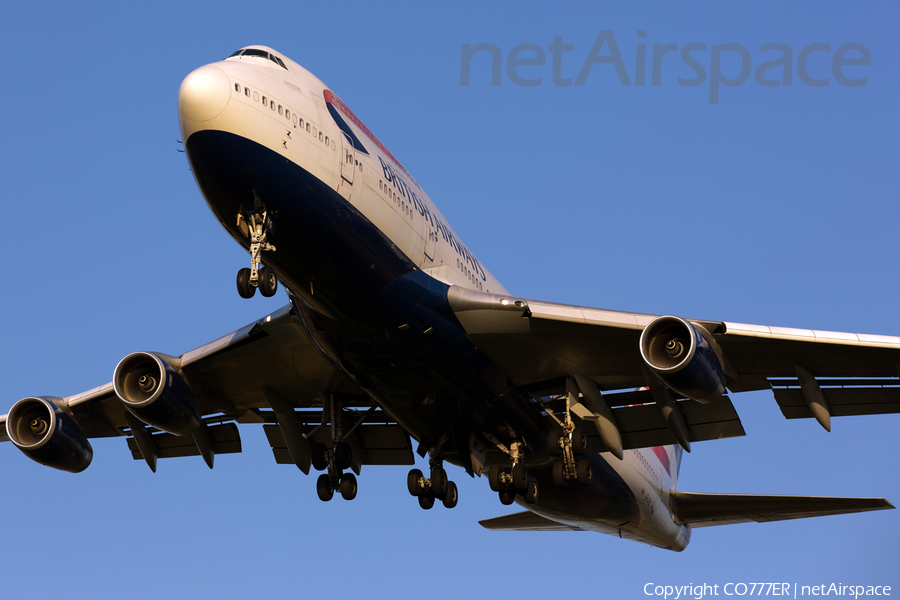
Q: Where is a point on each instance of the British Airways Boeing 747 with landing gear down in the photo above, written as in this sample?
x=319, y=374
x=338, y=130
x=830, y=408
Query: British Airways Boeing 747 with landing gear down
x=396, y=339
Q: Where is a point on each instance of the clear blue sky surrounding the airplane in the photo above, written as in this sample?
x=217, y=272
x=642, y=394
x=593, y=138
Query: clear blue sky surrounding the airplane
x=776, y=205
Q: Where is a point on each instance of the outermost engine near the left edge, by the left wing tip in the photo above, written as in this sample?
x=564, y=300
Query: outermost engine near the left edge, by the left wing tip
x=47, y=435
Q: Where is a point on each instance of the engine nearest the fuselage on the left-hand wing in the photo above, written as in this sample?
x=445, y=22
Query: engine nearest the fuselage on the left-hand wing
x=152, y=391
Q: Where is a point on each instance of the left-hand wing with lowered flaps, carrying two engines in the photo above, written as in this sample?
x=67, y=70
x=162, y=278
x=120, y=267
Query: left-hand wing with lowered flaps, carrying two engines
x=253, y=375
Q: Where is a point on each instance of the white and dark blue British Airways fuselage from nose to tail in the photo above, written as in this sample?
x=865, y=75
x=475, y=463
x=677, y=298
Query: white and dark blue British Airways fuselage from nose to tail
x=367, y=259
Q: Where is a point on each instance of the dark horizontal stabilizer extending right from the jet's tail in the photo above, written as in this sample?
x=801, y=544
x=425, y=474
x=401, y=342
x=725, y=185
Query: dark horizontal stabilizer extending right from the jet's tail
x=705, y=510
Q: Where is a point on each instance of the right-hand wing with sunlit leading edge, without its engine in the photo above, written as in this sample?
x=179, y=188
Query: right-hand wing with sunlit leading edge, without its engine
x=539, y=344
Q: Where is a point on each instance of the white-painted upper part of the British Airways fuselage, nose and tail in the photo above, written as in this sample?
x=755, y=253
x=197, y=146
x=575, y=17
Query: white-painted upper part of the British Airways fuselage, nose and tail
x=384, y=192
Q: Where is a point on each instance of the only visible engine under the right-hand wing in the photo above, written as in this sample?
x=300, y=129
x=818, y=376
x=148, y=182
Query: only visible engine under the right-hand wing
x=683, y=358
